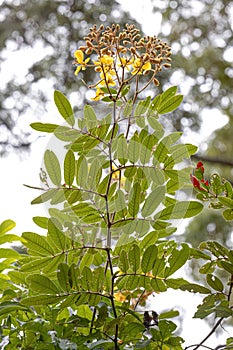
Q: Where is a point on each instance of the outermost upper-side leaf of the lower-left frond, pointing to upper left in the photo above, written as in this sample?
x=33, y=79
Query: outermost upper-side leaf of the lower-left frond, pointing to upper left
x=37, y=243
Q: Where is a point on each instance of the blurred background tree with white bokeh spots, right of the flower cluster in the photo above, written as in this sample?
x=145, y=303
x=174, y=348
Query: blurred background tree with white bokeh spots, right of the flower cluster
x=201, y=35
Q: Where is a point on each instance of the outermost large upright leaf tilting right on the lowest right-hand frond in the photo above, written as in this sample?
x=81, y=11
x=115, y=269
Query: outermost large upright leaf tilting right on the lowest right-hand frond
x=177, y=259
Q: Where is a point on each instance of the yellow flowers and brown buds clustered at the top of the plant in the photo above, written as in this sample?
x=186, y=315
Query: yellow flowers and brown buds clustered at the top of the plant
x=118, y=52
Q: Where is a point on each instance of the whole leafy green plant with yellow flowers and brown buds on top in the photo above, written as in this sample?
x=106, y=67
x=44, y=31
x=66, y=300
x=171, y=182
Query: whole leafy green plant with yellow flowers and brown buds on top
x=112, y=203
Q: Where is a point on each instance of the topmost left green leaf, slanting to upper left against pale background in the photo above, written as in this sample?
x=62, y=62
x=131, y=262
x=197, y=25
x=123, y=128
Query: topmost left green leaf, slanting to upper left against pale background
x=64, y=107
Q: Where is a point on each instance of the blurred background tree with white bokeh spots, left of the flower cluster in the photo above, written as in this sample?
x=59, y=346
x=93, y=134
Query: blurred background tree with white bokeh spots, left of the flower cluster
x=55, y=30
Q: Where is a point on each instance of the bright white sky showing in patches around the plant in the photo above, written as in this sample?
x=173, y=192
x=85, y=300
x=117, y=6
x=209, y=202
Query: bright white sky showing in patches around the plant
x=19, y=169
